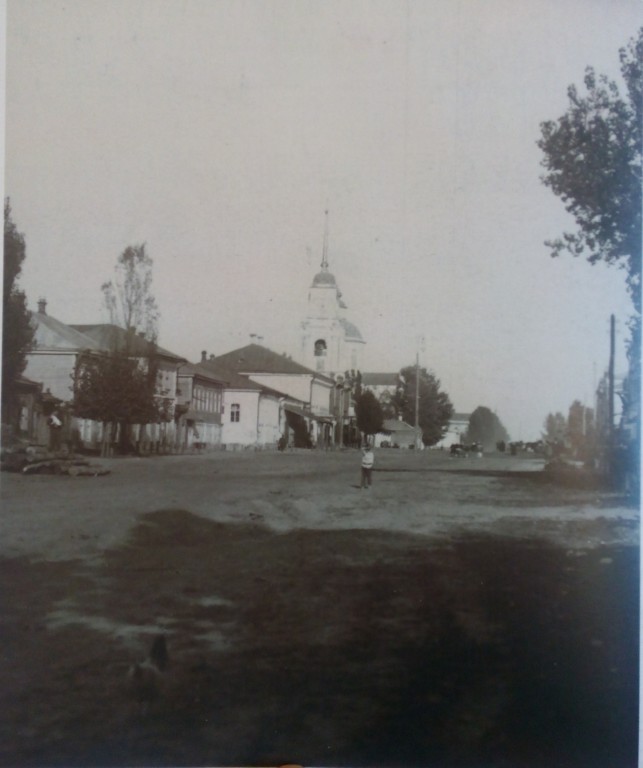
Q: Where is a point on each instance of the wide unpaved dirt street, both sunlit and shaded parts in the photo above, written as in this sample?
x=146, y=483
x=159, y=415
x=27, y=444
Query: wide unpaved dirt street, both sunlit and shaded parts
x=461, y=612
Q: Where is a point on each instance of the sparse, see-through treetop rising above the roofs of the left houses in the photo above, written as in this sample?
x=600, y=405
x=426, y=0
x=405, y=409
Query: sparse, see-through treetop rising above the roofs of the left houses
x=128, y=297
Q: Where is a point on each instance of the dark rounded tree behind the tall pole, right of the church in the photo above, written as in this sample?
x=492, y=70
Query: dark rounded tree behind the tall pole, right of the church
x=434, y=407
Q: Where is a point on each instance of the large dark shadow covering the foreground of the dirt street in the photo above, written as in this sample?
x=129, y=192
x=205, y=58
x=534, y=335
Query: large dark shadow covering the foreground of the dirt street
x=325, y=648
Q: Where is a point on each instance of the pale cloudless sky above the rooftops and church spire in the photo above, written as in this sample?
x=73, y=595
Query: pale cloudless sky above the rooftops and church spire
x=218, y=133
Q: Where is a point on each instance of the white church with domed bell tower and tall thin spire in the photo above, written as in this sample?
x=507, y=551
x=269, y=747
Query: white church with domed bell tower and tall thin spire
x=330, y=342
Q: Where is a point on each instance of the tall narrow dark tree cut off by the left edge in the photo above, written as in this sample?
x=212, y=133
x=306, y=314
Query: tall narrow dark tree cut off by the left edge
x=17, y=331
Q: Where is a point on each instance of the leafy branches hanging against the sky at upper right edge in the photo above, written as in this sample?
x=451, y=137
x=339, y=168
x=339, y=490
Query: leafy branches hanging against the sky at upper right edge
x=592, y=155
